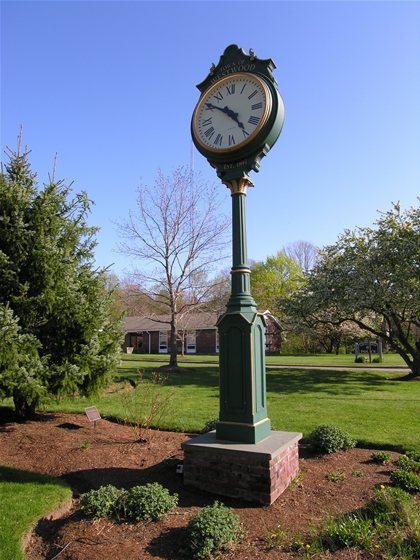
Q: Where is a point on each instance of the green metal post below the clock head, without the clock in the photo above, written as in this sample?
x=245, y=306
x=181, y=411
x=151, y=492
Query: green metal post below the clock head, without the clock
x=243, y=411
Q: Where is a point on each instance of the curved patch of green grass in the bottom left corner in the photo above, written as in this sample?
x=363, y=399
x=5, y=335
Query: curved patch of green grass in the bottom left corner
x=25, y=497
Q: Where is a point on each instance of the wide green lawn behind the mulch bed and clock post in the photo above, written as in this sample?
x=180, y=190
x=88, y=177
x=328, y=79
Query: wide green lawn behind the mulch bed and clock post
x=376, y=411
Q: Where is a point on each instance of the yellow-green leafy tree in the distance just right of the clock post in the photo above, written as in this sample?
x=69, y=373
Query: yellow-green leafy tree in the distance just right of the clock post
x=279, y=276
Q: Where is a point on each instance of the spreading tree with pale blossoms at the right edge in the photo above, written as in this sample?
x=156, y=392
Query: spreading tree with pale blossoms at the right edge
x=371, y=278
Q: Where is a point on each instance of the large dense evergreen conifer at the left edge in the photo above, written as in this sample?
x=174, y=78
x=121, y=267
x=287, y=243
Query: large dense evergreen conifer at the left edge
x=56, y=336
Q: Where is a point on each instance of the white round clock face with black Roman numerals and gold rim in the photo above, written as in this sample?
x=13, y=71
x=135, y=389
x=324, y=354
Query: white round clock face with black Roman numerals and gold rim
x=231, y=112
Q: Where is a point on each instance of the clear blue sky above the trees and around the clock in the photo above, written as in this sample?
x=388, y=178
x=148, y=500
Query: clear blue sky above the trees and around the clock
x=110, y=86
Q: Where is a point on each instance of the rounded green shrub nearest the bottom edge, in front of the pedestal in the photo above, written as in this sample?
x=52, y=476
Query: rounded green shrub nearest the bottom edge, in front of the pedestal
x=211, y=531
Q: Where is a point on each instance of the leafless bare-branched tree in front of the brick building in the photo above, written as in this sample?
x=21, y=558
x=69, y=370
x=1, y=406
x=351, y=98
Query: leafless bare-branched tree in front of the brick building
x=179, y=235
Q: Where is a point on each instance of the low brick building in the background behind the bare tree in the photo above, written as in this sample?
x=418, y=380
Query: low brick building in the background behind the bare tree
x=197, y=334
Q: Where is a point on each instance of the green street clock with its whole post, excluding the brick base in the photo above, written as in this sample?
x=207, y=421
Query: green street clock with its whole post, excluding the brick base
x=236, y=121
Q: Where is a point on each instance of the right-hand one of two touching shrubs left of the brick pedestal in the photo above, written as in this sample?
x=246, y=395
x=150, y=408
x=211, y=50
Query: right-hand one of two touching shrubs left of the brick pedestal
x=149, y=502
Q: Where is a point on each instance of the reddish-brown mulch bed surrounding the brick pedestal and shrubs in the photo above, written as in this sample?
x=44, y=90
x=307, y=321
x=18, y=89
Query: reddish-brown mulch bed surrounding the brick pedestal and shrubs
x=68, y=446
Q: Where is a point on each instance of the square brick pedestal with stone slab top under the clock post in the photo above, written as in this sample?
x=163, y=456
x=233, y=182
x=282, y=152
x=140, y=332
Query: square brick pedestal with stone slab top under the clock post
x=255, y=472
